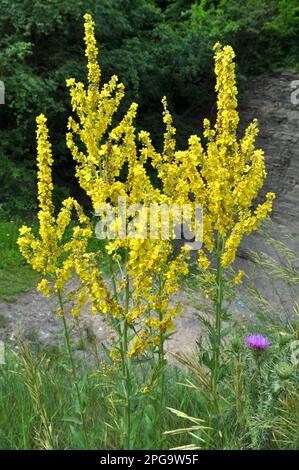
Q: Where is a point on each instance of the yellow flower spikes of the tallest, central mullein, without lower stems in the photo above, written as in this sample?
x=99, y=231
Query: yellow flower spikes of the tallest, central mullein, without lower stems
x=99, y=166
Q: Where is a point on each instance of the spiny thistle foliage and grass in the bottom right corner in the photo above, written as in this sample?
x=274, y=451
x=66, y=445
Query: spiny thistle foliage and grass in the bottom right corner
x=258, y=406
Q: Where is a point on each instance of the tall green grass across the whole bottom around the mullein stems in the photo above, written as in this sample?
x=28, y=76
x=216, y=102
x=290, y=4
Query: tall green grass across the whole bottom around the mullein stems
x=259, y=406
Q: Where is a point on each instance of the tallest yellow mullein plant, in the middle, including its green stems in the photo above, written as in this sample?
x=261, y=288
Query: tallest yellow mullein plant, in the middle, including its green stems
x=144, y=272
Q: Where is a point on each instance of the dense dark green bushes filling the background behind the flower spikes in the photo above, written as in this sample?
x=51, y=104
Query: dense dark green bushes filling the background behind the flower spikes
x=156, y=48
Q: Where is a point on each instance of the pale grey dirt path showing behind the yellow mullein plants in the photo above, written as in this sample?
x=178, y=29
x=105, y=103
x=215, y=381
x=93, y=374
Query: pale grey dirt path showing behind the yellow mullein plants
x=33, y=317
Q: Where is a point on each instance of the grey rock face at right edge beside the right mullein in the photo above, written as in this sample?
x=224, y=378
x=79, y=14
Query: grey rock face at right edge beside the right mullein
x=268, y=98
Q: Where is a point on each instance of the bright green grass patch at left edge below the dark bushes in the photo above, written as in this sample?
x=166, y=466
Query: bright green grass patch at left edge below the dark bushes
x=15, y=275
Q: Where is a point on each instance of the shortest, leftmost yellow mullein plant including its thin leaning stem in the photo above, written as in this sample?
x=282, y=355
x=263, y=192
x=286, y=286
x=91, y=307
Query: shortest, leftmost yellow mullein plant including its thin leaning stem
x=50, y=253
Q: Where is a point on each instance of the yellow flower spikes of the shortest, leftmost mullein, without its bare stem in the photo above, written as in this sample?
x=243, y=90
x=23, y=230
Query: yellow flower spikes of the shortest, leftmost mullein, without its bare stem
x=52, y=253
